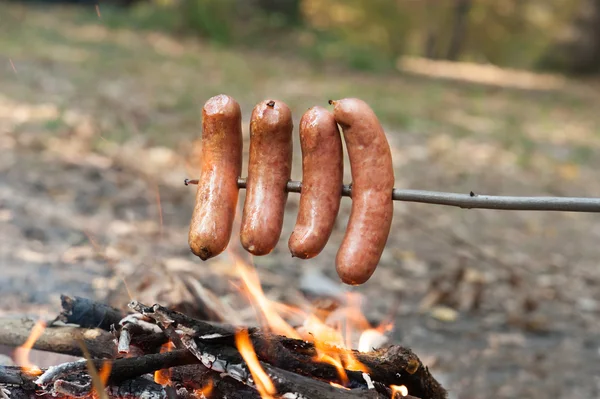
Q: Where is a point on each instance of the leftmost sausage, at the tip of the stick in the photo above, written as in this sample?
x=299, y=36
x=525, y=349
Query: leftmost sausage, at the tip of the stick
x=221, y=165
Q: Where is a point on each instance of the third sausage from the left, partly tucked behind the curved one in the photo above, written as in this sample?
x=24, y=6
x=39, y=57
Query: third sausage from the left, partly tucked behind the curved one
x=322, y=181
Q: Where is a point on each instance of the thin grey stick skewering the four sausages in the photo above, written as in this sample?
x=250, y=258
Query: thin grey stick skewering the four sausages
x=471, y=200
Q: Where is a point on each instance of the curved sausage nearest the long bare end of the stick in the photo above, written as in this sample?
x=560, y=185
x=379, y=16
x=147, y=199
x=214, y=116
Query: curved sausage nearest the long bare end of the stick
x=372, y=185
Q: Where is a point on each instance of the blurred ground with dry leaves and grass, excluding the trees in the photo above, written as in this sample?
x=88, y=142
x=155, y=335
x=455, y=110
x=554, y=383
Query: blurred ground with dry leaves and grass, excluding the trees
x=96, y=136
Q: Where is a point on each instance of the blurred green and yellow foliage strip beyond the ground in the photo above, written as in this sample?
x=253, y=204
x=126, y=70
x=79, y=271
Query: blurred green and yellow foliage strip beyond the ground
x=560, y=35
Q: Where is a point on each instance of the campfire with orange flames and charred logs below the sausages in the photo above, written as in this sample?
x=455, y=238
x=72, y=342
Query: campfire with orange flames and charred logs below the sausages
x=323, y=350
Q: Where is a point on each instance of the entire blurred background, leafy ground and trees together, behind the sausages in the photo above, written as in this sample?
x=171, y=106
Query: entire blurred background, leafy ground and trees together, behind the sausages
x=100, y=120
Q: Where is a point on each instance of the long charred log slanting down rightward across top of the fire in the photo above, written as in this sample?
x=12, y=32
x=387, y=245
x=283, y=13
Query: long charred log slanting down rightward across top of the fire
x=215, y=347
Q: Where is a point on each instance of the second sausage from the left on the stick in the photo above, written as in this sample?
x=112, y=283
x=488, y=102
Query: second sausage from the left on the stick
x=269, y=170
